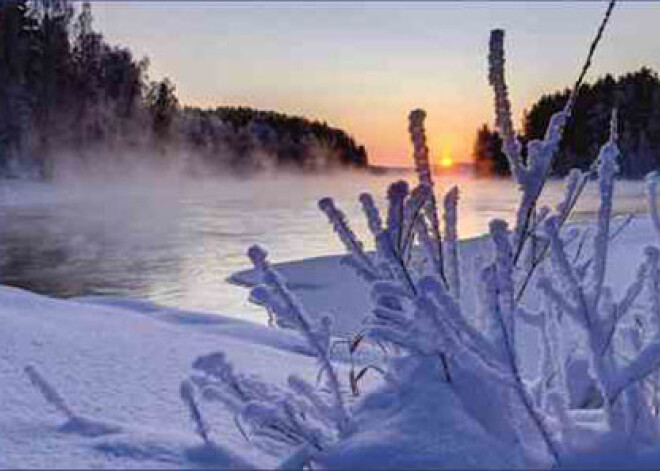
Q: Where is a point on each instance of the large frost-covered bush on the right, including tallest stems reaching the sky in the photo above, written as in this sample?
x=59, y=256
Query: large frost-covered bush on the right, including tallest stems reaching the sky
x=422, y=315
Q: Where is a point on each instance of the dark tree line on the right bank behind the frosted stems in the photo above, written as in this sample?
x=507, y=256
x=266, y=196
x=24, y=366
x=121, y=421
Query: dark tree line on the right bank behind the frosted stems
x=636, y=96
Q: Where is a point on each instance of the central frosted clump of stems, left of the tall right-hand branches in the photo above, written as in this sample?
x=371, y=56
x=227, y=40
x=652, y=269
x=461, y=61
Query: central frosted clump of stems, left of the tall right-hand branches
x=420, y=313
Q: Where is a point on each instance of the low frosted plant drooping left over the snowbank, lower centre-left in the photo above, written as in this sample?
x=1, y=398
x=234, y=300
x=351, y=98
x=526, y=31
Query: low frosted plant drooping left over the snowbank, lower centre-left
x=302, y=418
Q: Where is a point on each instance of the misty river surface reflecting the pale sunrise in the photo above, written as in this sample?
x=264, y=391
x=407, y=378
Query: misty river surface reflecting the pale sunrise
x=174, y=240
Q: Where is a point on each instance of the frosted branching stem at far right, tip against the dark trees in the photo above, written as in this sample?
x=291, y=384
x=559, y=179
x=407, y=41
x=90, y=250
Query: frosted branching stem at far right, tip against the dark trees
x=591, y=305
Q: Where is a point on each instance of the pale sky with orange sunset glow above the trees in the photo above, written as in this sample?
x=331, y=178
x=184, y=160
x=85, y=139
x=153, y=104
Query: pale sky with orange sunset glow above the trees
x=362, y=66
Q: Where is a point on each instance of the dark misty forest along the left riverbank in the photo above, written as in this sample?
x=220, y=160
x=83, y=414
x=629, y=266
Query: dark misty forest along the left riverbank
x=67, y=95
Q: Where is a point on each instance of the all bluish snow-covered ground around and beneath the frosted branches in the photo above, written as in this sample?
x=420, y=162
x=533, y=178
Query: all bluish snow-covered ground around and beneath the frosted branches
x=118, y=364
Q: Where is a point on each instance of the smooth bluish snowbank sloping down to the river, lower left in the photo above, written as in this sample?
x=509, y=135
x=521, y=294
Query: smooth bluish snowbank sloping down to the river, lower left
x=118, y=364
